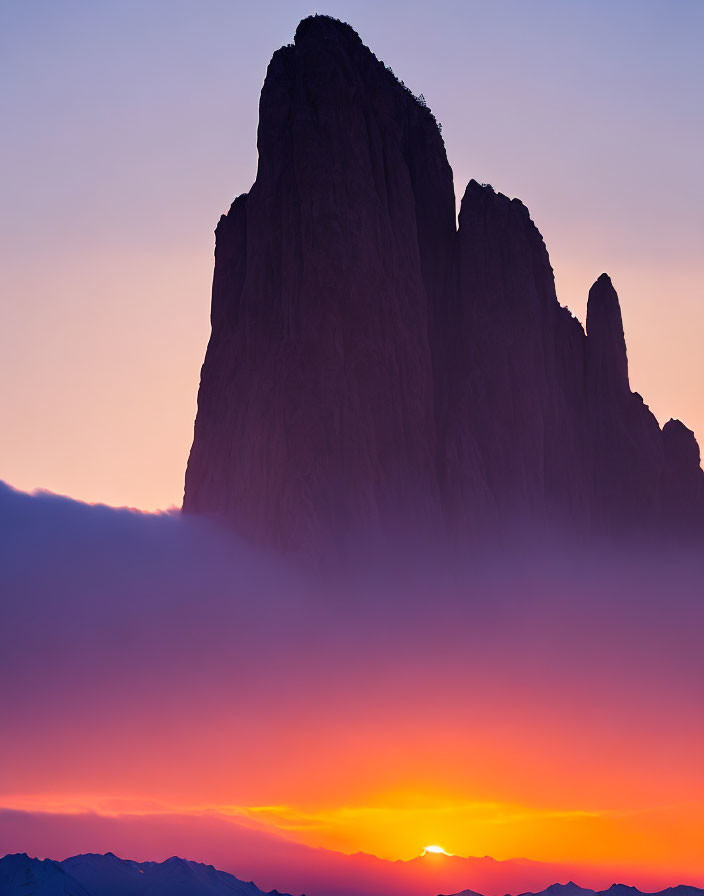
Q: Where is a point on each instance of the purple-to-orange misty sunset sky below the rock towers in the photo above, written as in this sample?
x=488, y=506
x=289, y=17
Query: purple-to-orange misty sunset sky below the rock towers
x=167, y=689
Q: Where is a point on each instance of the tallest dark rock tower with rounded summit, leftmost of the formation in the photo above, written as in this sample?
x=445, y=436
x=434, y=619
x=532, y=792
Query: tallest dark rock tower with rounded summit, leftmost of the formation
x=316, y=406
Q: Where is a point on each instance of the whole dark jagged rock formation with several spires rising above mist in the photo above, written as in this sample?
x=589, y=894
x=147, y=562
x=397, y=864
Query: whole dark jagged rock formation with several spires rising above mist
x=373, y=368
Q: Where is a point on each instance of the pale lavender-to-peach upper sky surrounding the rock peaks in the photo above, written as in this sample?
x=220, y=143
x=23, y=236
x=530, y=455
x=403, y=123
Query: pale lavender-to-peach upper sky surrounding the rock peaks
x=131, y=126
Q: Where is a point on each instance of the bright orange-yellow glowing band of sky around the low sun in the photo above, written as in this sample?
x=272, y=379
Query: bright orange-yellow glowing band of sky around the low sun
x=666, y=839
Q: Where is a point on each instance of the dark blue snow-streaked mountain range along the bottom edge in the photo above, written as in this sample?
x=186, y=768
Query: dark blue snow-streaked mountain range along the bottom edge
x=108, y=875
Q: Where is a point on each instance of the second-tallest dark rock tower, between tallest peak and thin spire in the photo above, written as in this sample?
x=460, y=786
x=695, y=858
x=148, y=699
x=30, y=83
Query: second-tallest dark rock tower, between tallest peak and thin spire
x=518, y=362
